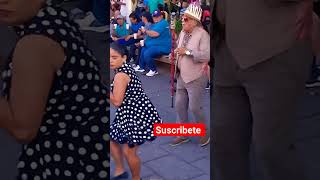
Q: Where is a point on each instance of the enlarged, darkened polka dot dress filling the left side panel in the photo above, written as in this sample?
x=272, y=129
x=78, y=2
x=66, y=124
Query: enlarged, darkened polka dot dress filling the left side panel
x=73, y=140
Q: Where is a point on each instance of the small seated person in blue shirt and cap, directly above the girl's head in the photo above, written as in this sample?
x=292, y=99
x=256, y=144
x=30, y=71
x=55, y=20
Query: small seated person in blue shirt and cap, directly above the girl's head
x=121, y=31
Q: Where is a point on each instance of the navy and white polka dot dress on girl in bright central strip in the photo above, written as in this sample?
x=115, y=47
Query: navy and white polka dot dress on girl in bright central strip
x=134, y=119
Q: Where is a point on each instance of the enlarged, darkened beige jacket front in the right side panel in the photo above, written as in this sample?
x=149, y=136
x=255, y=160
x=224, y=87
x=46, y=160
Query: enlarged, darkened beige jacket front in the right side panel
x=257, y=30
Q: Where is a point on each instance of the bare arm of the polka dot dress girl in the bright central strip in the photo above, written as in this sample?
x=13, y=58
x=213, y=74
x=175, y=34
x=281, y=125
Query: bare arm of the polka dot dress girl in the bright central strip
x=121, y=81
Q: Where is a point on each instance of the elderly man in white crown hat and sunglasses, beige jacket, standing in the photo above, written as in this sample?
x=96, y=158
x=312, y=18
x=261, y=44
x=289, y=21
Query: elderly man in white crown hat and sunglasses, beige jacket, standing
x=193, y=55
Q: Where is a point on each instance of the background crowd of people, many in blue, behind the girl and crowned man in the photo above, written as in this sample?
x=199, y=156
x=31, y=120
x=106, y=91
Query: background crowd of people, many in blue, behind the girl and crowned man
x=146, y=29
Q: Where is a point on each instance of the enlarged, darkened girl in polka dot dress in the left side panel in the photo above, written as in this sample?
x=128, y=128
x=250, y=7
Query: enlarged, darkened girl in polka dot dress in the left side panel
x=52, y=98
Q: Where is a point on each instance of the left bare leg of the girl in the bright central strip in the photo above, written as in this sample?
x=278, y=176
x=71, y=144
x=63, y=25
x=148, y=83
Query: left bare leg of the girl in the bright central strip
x=117, y=156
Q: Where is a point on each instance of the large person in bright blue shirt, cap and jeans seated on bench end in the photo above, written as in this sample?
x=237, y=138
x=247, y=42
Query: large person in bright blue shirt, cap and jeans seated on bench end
x=157, y=43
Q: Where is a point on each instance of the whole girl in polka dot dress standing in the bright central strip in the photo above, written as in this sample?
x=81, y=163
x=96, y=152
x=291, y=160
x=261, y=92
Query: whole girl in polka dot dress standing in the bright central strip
x=135, y=116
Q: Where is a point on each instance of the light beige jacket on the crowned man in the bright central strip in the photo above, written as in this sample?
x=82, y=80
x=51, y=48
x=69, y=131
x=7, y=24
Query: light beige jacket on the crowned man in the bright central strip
x=191, y=67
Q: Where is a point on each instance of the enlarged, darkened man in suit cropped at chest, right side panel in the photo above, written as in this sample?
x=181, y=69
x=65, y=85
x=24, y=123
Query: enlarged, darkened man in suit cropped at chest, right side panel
x=261, y=65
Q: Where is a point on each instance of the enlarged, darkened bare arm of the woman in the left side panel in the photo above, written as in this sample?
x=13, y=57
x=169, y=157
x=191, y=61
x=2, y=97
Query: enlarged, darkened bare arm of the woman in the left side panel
x=35, y=61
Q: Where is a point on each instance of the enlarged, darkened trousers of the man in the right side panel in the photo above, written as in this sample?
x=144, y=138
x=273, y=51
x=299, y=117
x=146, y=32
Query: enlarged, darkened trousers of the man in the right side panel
x=254, y=109
